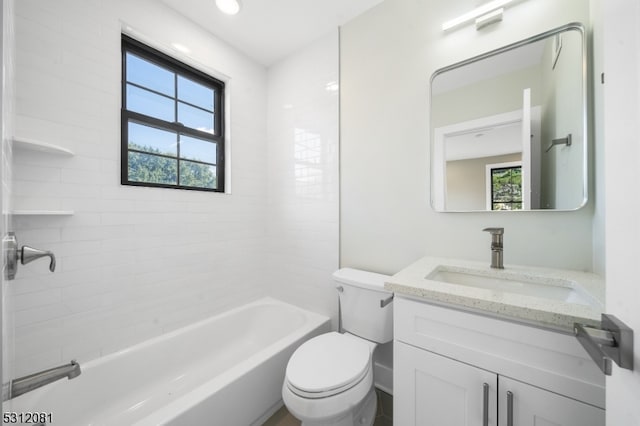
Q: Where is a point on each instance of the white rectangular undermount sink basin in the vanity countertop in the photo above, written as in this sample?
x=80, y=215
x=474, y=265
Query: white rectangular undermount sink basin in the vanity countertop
x=503, y=281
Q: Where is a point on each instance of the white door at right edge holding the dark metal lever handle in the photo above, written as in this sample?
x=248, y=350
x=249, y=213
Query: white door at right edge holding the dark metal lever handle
x=621, y=104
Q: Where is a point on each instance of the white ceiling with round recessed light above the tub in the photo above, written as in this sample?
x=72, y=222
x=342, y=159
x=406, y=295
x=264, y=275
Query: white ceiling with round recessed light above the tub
x=270, y=30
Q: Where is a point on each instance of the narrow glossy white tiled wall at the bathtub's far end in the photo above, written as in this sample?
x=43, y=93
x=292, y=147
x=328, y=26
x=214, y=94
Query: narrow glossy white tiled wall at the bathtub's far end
x=303, y=176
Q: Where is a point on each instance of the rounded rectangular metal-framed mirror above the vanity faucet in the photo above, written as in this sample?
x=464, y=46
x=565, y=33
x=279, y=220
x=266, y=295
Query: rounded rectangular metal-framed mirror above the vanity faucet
x=509, y=127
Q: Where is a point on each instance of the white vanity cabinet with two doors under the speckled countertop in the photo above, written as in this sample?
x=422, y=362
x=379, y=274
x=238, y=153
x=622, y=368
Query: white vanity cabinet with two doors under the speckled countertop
x=455, y=368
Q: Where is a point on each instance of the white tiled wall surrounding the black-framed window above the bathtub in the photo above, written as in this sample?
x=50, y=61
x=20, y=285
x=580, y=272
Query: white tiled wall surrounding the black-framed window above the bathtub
x=132, y=262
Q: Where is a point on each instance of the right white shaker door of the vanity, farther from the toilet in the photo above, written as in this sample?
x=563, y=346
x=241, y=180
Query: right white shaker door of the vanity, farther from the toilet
x=533, y=406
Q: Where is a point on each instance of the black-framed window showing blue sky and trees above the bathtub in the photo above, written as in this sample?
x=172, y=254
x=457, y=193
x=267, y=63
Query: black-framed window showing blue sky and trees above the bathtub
x=172, y=122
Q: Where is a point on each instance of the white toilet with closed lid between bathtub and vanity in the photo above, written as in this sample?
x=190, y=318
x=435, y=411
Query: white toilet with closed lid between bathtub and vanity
x=329, y=378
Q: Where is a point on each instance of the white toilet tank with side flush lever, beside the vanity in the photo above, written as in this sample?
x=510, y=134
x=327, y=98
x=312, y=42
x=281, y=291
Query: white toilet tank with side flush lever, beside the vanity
x=360, y=295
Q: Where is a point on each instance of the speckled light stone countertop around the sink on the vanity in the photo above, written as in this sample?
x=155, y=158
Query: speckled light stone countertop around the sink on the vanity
x=553, y=313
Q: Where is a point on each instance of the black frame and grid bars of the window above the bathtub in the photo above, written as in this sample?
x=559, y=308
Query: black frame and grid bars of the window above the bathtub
x=131, y=45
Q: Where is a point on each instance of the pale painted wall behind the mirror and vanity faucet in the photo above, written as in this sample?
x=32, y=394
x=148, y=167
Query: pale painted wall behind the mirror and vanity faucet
x=387, y=58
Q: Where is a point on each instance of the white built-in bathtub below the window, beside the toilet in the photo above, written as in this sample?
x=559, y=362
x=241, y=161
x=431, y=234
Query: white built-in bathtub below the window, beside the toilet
x=226, y=370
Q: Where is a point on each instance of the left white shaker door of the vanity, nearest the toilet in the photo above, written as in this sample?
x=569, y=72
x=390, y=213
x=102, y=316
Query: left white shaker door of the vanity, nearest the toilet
x=432, y=390
